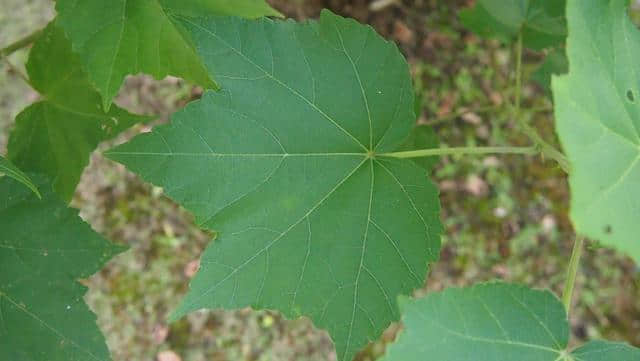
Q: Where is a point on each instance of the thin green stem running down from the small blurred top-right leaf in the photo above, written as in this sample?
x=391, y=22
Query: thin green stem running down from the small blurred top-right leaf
x=544, y=147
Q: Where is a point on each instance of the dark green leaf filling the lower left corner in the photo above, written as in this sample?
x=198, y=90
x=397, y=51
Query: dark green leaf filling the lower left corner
x=44, y=248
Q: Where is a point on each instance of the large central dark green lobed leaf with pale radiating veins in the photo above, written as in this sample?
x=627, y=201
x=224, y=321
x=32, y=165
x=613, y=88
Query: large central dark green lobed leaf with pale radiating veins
x=287, y=164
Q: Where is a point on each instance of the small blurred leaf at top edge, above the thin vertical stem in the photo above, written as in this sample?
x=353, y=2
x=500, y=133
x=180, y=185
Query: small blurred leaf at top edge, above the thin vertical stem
x=542, y=22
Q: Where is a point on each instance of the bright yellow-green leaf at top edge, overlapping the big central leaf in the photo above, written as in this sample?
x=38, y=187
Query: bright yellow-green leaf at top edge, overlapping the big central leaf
x=118, y=37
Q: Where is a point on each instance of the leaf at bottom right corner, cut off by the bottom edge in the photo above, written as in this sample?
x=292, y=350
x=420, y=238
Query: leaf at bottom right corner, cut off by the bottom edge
x=494, y=322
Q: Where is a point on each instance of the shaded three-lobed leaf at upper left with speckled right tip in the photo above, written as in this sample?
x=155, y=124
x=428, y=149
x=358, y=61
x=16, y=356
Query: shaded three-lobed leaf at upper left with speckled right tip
x=57, y=135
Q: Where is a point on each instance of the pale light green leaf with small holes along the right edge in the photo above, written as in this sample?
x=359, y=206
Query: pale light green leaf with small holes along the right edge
x=598, y=121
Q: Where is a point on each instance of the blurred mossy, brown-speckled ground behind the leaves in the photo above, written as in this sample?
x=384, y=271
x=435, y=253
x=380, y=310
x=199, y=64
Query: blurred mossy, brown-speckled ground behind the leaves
x=505, y=216
